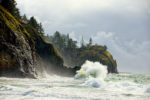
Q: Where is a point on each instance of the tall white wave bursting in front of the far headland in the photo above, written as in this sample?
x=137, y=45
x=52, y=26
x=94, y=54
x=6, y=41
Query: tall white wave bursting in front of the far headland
x=93, y=73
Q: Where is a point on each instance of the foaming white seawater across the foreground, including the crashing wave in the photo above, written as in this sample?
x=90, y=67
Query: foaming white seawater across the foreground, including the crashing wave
x=90, y=83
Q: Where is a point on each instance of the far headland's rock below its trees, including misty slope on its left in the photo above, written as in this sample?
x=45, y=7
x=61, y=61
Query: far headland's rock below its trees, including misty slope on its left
x=95, y=53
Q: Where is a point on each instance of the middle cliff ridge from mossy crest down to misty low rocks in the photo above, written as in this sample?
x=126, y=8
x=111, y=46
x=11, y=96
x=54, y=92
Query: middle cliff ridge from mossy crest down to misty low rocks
x=52, y=61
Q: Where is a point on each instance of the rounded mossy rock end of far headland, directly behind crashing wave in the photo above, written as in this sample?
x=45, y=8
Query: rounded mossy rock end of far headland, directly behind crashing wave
x=100, y=54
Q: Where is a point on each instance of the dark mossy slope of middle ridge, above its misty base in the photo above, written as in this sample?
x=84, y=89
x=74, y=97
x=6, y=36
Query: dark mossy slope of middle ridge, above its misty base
x=46, y=50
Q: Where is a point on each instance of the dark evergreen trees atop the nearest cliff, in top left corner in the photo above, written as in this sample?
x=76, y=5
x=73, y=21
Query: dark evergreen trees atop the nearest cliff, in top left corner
x=10, y=5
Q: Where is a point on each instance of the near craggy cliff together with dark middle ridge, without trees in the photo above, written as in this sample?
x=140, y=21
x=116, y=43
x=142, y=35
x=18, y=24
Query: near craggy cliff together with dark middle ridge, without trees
x=23, y=51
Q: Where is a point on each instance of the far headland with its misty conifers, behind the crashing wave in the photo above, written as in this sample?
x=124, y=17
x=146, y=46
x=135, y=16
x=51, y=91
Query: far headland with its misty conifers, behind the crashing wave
x=75, y=56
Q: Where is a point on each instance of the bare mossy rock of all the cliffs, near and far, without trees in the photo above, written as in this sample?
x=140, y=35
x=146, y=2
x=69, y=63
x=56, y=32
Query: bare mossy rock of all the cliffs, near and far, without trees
x=24, y=52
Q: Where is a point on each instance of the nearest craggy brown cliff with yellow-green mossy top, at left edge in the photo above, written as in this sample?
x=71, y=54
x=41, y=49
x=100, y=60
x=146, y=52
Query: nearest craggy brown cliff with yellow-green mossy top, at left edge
x=16, y=48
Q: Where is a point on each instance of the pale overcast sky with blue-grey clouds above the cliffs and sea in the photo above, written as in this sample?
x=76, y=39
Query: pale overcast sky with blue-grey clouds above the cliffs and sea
x=122, y=25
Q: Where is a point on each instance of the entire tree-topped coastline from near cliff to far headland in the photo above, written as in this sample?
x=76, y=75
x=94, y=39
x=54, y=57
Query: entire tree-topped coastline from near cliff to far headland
x=24, y=46
